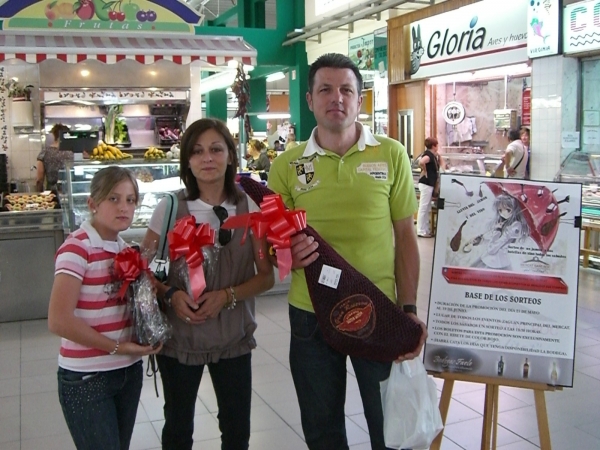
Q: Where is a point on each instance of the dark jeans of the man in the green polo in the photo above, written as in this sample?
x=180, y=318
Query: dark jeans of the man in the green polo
x=319, y=374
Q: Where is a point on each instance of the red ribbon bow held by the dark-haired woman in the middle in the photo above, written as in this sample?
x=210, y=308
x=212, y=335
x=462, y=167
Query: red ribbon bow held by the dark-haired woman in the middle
x=186, y=239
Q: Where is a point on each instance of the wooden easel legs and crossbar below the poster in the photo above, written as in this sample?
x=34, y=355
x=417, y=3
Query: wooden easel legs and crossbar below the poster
x=489, y=430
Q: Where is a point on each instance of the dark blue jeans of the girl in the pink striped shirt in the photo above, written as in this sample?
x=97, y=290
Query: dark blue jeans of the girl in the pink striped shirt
x=100, y=407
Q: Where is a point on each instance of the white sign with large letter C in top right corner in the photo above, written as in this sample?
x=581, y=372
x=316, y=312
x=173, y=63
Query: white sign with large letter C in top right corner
x=582, y=27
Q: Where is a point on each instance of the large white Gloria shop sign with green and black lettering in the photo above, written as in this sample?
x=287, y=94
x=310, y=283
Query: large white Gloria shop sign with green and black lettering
x=482, y=35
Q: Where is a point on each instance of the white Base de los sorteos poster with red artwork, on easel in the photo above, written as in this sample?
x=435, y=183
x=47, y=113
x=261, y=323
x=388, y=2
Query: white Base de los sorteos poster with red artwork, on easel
x=503, y=299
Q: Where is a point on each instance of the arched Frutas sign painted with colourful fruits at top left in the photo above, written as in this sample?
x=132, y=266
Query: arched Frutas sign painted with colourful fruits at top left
x=147, y=16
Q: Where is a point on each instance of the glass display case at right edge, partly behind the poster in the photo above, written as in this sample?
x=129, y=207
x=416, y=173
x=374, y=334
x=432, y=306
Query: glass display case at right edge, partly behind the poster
x=584, y=168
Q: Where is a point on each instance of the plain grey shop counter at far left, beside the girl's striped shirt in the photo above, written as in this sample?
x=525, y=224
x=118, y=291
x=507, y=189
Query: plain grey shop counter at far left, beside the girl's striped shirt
x=28, y=242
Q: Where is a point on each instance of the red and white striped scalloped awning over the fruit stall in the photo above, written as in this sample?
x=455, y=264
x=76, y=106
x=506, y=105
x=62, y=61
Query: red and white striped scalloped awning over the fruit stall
x=73, y=48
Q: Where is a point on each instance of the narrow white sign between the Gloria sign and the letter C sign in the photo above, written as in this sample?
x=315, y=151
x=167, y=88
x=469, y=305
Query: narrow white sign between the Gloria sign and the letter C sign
x=543, y=23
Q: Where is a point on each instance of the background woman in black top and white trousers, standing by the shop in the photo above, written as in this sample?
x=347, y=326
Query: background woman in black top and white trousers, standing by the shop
x=430, y=174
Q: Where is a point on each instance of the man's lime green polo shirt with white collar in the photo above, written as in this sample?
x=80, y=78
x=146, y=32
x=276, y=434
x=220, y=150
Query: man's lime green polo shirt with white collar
x=350, y=201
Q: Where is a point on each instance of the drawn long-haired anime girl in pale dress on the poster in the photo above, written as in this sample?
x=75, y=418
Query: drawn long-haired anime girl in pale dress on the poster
x=508, y=226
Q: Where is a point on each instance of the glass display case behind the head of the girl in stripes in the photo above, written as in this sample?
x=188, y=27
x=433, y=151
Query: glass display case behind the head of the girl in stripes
x=155, y=178
